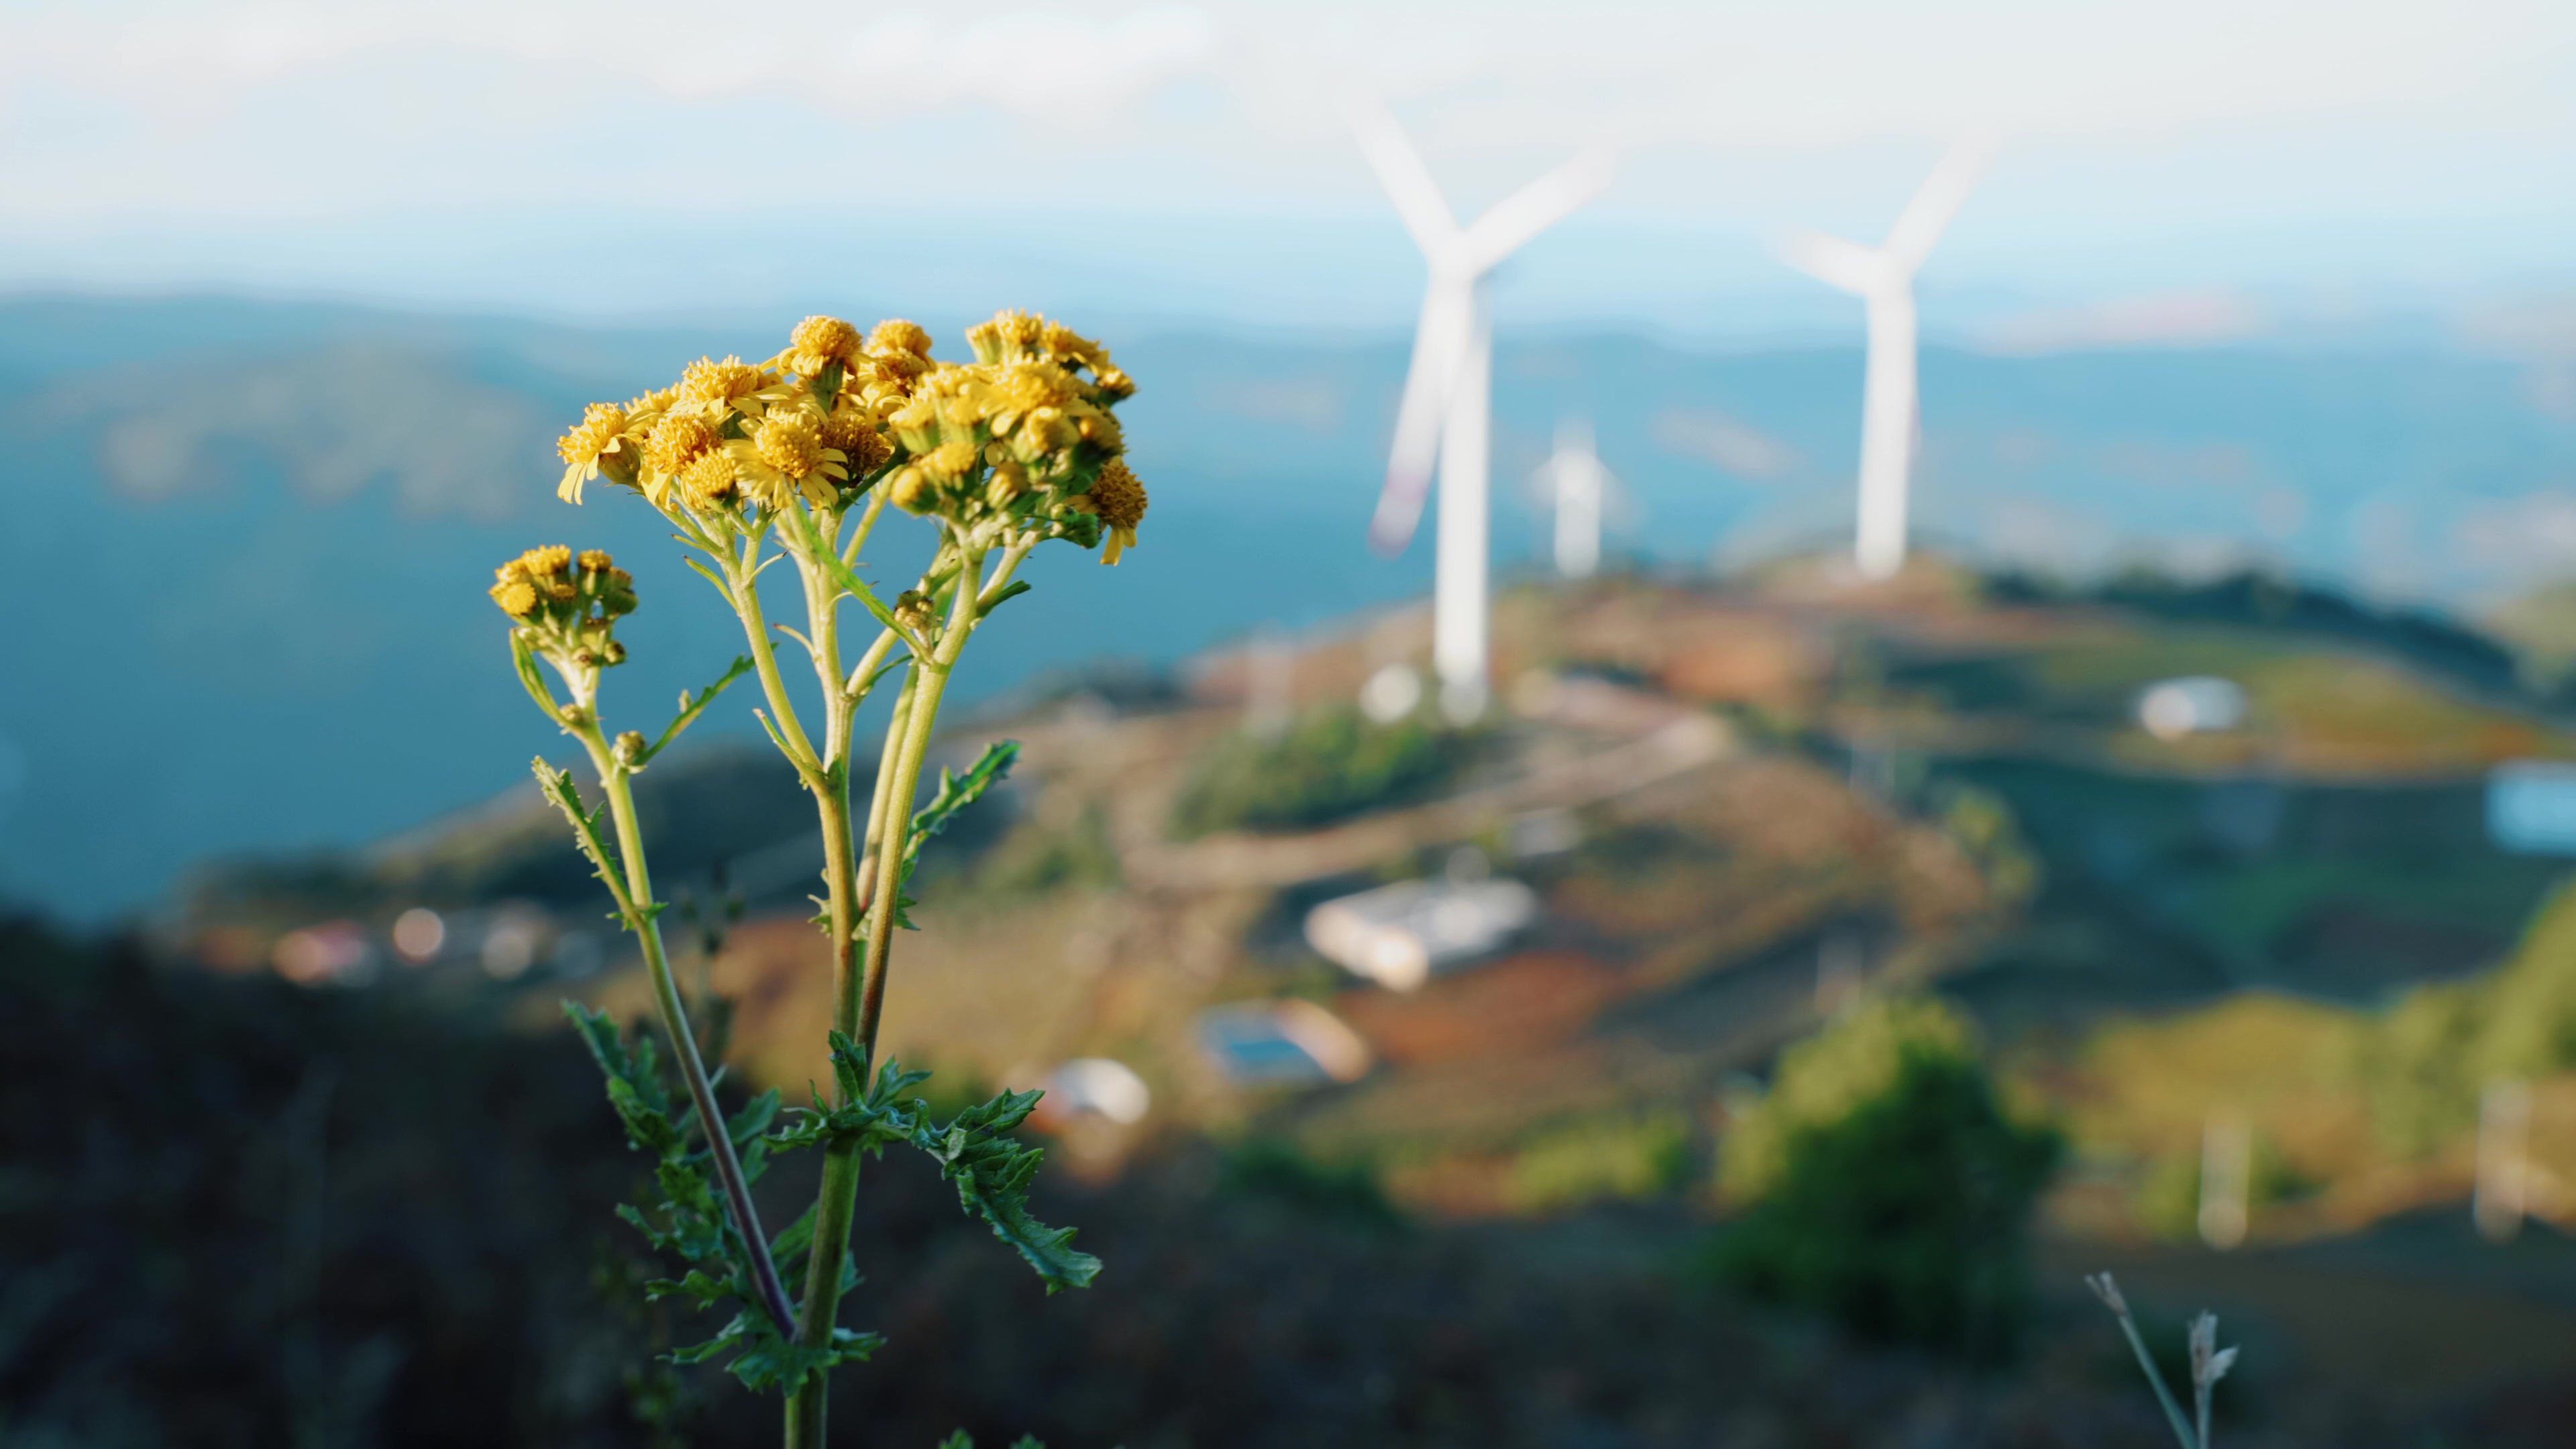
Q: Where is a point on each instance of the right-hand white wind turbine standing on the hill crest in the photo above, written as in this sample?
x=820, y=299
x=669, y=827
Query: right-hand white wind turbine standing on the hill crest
x=1884, y=277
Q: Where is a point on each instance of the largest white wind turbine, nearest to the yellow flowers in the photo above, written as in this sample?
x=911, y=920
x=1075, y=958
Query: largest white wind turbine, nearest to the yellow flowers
x=1452, y=388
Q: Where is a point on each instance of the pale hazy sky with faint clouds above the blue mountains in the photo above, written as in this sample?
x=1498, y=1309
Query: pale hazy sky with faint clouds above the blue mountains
x=2186, y=169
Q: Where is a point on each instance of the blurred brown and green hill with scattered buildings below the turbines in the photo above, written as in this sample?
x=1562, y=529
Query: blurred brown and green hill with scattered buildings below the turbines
x=1735, y=803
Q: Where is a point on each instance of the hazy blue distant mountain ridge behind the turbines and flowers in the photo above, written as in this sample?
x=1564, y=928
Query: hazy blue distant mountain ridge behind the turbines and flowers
x=249, y=540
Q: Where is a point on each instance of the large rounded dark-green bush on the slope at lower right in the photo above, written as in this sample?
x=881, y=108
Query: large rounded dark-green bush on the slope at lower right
x=1887, y=1187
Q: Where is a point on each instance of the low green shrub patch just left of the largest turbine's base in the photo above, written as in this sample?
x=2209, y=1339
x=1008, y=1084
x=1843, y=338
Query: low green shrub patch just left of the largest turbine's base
x=1328, y=767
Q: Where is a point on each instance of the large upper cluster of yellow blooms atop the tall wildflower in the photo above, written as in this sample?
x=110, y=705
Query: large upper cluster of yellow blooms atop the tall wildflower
x=1021, y=437
